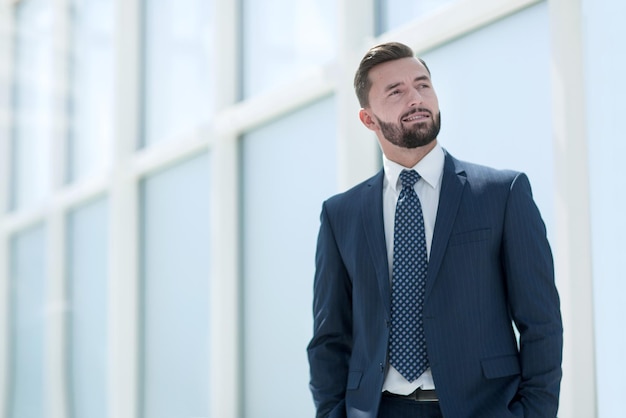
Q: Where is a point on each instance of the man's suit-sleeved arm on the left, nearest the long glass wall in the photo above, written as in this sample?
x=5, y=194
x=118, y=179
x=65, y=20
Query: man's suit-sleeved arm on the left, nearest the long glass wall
x=330, y=348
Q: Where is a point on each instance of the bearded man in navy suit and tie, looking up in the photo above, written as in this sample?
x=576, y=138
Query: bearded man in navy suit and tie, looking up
x=422, y=270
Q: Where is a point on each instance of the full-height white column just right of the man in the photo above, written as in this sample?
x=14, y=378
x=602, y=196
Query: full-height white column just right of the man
x=573, y=229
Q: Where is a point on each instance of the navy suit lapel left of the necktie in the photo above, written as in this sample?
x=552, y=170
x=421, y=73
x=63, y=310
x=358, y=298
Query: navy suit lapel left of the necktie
x=373, y=224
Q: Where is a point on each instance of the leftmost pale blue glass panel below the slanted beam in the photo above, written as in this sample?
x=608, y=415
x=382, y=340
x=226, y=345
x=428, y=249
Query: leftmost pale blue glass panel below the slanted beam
x=28, y=283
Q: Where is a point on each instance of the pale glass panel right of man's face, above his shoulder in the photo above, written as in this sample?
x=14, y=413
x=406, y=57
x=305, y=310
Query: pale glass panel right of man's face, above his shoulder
x=494, y=92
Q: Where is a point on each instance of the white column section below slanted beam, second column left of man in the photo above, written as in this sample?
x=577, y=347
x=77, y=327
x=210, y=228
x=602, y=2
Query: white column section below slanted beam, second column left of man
x=225, y=287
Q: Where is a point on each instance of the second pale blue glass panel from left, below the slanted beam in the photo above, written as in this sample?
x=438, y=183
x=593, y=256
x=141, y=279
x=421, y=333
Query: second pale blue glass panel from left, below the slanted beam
x=87, y=269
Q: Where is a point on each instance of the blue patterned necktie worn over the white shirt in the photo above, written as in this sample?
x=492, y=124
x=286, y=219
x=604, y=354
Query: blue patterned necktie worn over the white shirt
x=407, y=348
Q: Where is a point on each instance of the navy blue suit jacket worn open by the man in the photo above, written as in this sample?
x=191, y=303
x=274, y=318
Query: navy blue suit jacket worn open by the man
x=490, y=266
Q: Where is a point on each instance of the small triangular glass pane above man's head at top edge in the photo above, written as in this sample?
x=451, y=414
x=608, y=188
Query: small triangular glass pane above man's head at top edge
x=395, y=13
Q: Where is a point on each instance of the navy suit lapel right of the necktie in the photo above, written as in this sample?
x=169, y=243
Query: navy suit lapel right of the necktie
x=452, y=185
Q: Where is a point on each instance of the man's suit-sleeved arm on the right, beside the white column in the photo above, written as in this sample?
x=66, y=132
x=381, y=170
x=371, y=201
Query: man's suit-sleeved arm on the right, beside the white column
x=533, y=301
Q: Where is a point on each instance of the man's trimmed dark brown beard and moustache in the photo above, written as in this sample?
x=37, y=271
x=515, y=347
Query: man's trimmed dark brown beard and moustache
x=417, y=136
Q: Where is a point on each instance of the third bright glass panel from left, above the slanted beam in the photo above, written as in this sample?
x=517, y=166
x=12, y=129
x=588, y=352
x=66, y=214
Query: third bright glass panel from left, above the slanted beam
x=178, y=68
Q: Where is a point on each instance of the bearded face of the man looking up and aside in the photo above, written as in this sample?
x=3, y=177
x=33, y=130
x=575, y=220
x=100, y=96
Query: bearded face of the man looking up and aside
x=403, y=104
